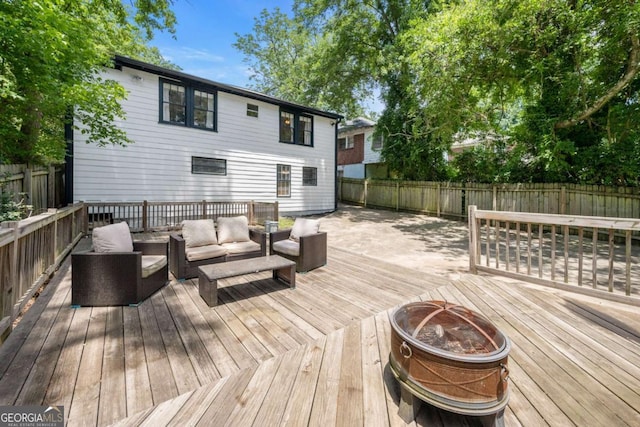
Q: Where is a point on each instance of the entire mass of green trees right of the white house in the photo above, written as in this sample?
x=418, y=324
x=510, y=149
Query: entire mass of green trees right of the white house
x=556, y=79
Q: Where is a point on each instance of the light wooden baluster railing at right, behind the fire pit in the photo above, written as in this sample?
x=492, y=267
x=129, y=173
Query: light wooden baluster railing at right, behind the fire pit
x=591, y=255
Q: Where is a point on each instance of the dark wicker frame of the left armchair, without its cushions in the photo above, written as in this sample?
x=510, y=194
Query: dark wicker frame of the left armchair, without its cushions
x=116, y=278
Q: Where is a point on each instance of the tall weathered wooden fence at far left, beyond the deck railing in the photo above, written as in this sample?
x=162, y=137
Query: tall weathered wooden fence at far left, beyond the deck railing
x=41, y=187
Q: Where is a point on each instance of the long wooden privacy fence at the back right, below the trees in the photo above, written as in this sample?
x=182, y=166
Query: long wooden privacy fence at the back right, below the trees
x=451, y=199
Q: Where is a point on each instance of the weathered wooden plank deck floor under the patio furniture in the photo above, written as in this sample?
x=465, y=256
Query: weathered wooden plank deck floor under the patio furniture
x=314, y=355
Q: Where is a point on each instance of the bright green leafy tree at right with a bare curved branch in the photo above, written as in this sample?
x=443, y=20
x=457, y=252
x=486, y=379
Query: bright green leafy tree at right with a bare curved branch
x=567, y=69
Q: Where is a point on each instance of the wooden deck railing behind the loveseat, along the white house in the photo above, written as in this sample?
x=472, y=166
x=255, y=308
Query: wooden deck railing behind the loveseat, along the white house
x=162, y=216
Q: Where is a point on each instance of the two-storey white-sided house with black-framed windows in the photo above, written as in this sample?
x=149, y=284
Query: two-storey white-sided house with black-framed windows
x=195, y=139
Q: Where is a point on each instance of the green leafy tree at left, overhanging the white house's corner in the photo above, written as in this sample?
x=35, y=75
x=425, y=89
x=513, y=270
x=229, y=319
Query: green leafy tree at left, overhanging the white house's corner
x=51, y=54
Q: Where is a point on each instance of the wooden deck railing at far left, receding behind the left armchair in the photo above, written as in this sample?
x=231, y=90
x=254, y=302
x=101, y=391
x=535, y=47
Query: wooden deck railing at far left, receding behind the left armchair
x=30, y=251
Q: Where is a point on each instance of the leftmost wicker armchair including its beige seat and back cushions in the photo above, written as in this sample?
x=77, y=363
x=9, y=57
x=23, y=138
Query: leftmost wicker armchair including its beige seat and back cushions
x=117, y=271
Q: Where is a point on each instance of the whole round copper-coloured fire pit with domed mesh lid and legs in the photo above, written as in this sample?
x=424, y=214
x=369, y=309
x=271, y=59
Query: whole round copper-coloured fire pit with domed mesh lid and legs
x=451, y=357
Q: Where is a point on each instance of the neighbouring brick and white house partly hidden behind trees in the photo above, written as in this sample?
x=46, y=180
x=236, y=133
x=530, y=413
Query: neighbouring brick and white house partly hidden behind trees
x=359, y=151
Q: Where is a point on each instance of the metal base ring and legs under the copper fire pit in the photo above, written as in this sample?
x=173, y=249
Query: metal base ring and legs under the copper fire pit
x=411, y=398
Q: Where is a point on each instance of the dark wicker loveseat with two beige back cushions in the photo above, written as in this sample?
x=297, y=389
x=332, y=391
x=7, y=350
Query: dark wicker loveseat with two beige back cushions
x=202, y=242
